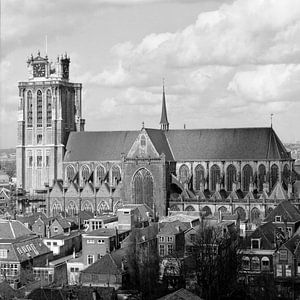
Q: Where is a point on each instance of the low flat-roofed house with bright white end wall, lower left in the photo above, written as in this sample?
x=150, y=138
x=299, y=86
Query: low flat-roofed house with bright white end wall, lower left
x=64, y=244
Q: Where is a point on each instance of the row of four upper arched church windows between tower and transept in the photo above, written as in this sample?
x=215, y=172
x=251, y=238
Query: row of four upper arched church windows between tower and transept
x=100, y=174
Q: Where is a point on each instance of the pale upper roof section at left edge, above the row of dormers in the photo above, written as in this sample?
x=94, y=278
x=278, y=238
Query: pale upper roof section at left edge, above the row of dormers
x=12, y=229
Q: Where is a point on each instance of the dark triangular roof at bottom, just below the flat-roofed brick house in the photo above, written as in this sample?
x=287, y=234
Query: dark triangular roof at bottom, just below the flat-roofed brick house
x=110, y=263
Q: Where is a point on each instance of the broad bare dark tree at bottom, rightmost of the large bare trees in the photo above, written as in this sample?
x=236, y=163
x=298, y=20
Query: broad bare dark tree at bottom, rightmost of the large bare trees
x=214, y=262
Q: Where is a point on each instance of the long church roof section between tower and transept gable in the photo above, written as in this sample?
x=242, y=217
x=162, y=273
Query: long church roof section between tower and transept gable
x=99, y=145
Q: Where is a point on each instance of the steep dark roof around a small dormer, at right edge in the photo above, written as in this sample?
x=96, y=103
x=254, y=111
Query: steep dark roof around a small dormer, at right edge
x=286, y=210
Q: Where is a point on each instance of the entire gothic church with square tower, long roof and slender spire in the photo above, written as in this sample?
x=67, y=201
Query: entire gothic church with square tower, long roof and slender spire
x=246, y=171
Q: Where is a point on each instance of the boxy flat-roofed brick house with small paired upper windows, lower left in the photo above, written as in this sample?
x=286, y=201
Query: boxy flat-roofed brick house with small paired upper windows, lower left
x=97, y=243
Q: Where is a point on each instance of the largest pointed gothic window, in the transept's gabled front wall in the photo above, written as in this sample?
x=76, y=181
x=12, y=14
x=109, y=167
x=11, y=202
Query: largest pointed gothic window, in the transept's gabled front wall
x=143, y=187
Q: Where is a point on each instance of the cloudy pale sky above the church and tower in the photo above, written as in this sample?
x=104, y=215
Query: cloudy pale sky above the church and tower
x=225, y=63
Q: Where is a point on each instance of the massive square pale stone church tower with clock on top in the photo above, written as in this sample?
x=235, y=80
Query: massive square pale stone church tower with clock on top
x=49, y=109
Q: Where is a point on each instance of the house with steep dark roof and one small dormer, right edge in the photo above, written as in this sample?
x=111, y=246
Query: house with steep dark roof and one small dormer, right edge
x=285, y=217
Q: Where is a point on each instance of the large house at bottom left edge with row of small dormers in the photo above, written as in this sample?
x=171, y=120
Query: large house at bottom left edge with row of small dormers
x=20, y=250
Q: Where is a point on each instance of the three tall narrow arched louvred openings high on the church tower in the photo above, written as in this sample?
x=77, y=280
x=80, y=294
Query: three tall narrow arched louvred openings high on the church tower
x=39, y=108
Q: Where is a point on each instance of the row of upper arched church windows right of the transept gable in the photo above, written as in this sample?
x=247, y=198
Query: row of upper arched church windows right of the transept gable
x=247, y=176
